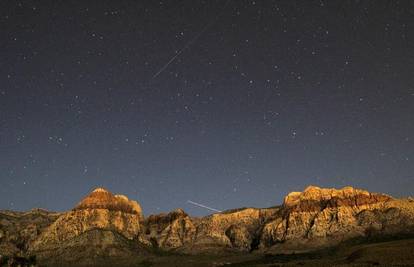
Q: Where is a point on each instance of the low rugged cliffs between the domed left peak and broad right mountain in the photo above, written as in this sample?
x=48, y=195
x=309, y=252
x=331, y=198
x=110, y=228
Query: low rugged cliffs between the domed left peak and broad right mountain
x=237, y=230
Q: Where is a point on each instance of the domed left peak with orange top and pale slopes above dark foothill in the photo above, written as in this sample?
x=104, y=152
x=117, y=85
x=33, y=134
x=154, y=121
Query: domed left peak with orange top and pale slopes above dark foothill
x=99, y=210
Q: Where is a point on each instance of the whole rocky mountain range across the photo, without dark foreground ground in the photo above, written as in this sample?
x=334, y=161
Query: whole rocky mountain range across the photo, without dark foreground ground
x=108, y=223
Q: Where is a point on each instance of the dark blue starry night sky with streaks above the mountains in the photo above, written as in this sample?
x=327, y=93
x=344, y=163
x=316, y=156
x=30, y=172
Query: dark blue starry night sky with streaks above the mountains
x=225, y=103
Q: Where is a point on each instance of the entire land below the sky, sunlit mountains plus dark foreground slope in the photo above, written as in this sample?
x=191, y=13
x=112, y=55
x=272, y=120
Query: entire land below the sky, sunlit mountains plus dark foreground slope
x=317, y=226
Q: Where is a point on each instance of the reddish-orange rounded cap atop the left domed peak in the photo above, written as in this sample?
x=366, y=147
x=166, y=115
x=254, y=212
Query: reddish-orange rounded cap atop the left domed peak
x=102, y=199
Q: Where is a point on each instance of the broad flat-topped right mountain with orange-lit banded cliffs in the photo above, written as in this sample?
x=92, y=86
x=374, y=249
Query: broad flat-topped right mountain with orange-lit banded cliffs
x=322, y=217
